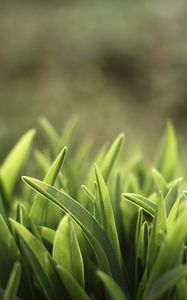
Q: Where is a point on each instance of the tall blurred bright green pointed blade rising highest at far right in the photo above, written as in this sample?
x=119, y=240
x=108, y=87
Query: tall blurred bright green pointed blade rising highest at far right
x=168, y=157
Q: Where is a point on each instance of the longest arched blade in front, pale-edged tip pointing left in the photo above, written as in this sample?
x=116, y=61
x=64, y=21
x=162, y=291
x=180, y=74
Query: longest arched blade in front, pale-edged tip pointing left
x=100, y=244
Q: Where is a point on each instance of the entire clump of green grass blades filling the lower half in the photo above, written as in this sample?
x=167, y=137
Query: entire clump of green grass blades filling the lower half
x=112, y=229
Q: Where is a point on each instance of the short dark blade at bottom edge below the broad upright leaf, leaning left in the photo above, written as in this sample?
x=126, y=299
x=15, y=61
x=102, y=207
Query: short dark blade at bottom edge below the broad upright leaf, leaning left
x=72, y=286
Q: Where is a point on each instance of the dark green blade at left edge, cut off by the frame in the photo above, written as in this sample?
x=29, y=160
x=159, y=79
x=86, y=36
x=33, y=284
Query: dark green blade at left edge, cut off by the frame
x=9, y=252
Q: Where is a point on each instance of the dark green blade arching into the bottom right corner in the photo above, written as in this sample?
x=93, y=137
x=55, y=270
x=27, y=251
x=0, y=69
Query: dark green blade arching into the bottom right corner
x=167, y=281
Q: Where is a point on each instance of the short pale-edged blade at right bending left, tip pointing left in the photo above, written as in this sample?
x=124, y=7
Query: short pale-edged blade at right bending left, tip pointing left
x=141, y=201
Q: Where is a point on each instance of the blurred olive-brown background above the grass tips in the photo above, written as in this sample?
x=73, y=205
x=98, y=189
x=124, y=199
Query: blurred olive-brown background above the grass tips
x=118, y=65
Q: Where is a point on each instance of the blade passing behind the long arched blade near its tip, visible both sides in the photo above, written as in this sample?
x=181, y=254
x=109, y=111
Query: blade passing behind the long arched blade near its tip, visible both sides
x=43, y=213
